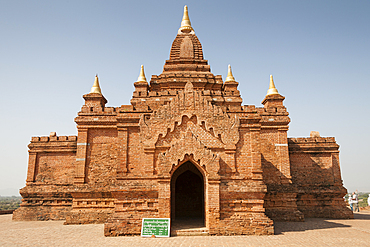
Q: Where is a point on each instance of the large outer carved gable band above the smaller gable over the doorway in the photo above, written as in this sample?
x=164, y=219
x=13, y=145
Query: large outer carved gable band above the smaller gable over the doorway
x=190, y=103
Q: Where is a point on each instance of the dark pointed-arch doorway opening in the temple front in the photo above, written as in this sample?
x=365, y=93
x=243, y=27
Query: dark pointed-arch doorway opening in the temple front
x=187, y=194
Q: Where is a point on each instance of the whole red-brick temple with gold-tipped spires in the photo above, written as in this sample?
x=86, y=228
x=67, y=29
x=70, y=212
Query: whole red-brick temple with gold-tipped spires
x=185, y=148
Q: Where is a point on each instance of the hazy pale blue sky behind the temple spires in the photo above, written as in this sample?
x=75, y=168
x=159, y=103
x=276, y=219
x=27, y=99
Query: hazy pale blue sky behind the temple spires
x=317, y=51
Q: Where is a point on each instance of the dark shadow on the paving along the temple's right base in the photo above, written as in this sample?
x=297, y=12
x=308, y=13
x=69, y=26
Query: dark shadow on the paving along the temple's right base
x=308, y=224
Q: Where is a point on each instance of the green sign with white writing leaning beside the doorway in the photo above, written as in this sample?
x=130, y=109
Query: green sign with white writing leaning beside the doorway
x=159, y=227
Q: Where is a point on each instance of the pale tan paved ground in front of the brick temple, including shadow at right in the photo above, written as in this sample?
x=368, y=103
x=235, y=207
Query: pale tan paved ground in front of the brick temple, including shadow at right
x=312, y=232
